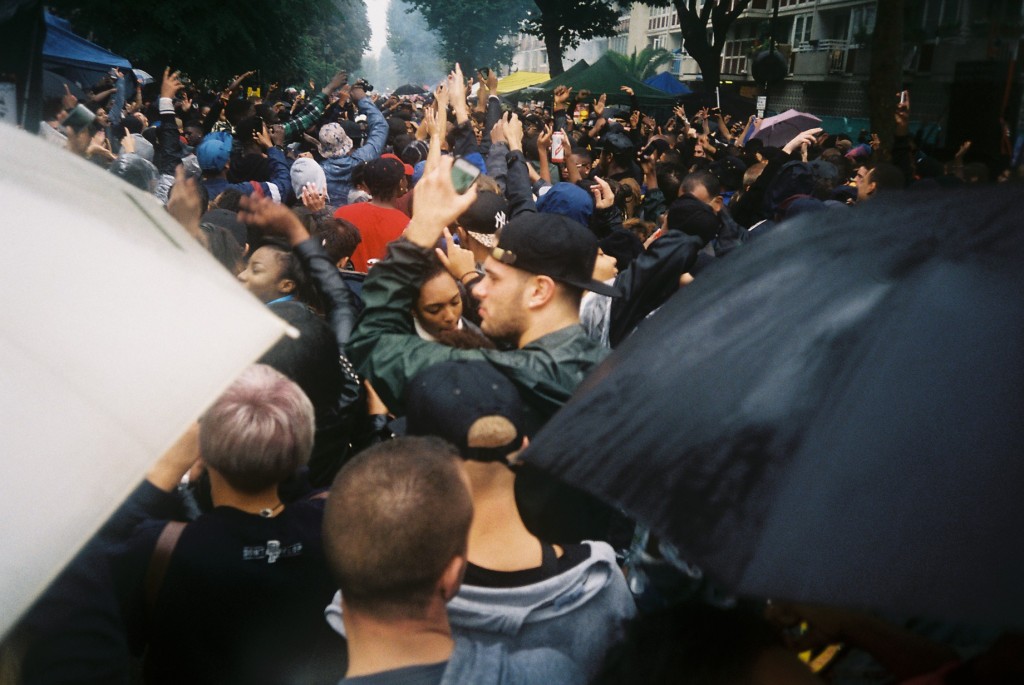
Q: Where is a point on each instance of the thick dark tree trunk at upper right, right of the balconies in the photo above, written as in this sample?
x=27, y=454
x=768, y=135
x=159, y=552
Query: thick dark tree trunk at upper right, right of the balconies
x=886, y=70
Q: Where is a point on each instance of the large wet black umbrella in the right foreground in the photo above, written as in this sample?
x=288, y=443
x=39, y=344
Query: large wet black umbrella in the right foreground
x=834, y=414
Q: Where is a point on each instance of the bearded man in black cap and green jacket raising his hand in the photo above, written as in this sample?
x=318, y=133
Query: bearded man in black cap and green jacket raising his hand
x=530, y=297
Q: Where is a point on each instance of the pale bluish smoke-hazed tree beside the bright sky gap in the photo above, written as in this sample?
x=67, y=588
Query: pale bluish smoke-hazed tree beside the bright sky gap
x=414, y=47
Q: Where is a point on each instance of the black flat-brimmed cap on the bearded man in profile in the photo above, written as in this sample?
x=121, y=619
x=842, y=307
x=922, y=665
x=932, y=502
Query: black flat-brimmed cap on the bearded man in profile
x=552, y=245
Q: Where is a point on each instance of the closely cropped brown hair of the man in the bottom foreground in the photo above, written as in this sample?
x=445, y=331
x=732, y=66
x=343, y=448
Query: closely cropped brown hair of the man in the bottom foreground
x=397, y=517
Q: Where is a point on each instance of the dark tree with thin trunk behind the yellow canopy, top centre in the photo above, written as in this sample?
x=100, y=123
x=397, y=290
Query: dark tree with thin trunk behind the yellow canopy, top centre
x=564, y=24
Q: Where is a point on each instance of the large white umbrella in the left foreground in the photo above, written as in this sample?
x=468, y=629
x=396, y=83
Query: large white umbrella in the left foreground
x=118, y=329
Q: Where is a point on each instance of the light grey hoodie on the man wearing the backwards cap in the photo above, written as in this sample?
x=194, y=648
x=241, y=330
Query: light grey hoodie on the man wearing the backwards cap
x=581, y=613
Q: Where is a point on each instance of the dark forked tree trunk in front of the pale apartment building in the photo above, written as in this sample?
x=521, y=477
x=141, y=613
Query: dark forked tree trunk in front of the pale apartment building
x=694, y=24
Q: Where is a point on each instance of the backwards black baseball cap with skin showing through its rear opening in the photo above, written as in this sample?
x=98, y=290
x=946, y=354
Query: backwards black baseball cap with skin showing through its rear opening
x=470, y=404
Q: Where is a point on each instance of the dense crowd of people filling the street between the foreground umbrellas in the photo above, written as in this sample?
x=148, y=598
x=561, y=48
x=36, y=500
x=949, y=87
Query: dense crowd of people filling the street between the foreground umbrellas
x=354, y=507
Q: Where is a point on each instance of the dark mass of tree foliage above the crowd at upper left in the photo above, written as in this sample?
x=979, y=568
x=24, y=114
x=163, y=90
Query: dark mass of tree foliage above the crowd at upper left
x=285, y=40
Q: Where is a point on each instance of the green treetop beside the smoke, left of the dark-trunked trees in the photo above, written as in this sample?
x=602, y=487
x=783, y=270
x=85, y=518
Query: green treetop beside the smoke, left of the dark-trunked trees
x=476, y=33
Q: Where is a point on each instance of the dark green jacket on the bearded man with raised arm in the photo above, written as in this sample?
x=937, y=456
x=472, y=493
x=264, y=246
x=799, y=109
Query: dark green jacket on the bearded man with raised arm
x=387, y=351
